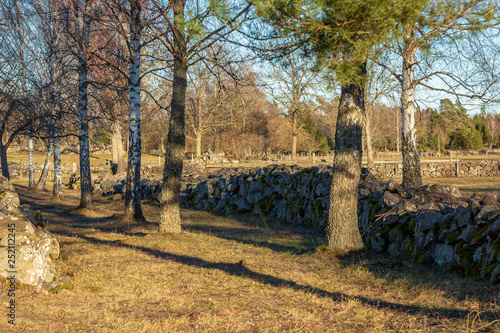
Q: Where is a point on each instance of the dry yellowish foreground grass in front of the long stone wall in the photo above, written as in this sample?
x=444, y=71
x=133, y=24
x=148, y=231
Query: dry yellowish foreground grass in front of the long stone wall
x=235, y=274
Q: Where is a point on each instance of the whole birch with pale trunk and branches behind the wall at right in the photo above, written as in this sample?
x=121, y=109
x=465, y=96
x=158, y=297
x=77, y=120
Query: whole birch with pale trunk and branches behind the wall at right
x=422, y=45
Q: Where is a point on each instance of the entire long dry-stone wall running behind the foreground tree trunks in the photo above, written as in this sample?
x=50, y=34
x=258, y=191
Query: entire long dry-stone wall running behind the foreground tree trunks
x=431, y=224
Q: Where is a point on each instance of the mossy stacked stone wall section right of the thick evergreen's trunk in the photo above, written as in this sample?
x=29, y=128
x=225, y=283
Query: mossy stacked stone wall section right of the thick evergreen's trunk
x=433, y=224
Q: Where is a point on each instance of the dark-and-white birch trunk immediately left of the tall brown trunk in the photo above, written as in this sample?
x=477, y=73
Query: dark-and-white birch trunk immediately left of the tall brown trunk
x=133, y=208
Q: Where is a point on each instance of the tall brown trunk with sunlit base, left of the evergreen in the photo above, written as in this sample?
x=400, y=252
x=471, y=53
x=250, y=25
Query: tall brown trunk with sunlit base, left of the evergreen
x=170, y=220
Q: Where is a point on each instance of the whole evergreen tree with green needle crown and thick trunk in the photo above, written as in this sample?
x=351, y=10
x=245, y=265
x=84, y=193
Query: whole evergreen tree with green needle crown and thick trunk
x=341, y=35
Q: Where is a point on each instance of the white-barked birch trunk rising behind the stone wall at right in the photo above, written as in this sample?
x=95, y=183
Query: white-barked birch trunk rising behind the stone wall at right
x=412, y=175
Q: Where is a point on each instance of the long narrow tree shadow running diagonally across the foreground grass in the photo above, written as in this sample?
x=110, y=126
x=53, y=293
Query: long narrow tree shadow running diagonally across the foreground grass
x=237, y=269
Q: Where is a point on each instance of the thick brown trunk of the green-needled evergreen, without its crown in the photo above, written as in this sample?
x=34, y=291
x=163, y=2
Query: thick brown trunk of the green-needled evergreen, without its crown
x=343, y=230
